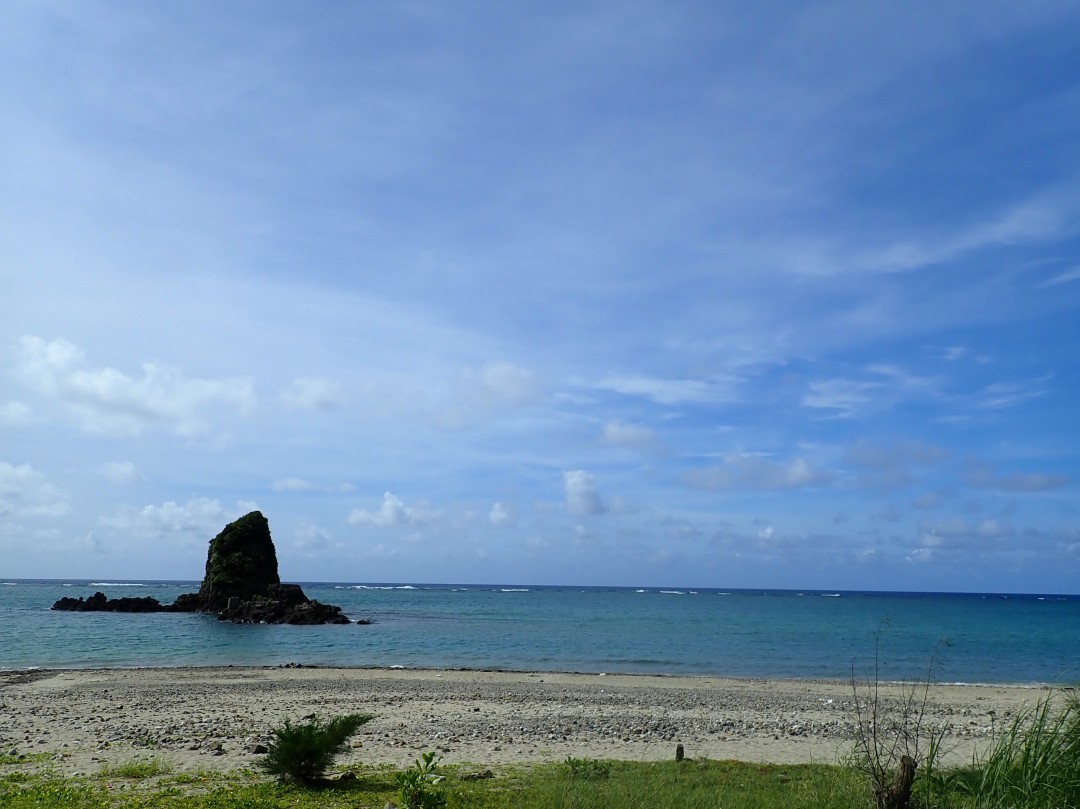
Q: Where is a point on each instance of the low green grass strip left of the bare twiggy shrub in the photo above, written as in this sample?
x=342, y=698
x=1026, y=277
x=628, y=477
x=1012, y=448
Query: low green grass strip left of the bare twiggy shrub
x=626, y=785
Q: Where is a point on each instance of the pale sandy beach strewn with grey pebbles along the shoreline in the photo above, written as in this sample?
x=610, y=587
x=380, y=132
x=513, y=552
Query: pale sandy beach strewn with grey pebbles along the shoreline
x=213, y=719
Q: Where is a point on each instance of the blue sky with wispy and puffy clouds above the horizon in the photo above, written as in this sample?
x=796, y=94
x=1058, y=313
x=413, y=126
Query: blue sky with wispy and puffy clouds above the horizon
x=700, y=294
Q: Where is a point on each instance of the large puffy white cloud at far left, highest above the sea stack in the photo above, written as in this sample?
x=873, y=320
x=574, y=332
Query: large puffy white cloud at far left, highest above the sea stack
x=109, y=401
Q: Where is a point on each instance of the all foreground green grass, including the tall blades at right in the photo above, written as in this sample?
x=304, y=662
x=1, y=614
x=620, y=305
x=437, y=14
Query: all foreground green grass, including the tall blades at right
x=1033, y=764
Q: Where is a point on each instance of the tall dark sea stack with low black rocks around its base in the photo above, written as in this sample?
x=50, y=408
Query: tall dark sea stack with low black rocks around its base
x=241, y=585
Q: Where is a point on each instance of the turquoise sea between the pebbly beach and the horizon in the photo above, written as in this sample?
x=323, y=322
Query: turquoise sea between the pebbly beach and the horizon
x=980, y=639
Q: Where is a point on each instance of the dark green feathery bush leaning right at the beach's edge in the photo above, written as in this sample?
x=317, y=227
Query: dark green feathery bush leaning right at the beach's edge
x=304, y=752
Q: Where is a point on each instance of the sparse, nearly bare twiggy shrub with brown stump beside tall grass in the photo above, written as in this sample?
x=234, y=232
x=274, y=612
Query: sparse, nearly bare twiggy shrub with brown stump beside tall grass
x=893, y=736
